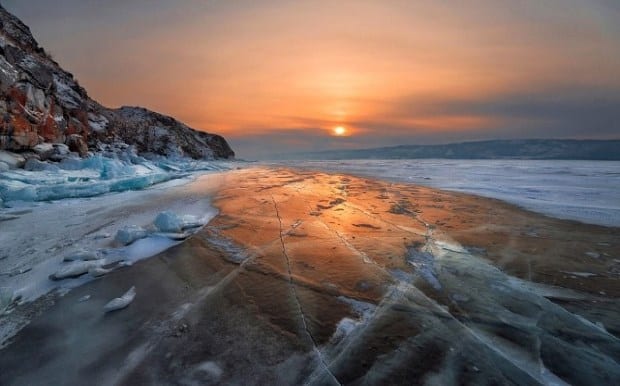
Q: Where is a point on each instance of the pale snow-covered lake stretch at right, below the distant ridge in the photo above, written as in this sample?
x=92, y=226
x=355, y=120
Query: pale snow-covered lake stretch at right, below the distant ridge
x=587, y=191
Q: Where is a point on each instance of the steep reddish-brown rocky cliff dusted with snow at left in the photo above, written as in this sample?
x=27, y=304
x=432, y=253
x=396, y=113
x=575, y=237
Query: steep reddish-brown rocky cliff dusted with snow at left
x=42, y=103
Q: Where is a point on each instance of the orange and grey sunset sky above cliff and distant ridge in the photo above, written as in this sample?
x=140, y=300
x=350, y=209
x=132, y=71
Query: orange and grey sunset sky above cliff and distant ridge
x=276, y=76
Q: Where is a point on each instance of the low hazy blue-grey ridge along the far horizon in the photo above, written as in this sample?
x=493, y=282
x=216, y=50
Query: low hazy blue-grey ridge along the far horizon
x=493, y=149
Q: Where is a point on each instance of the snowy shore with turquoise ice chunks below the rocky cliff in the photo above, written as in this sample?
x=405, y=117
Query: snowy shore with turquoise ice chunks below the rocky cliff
x=38, y=237
